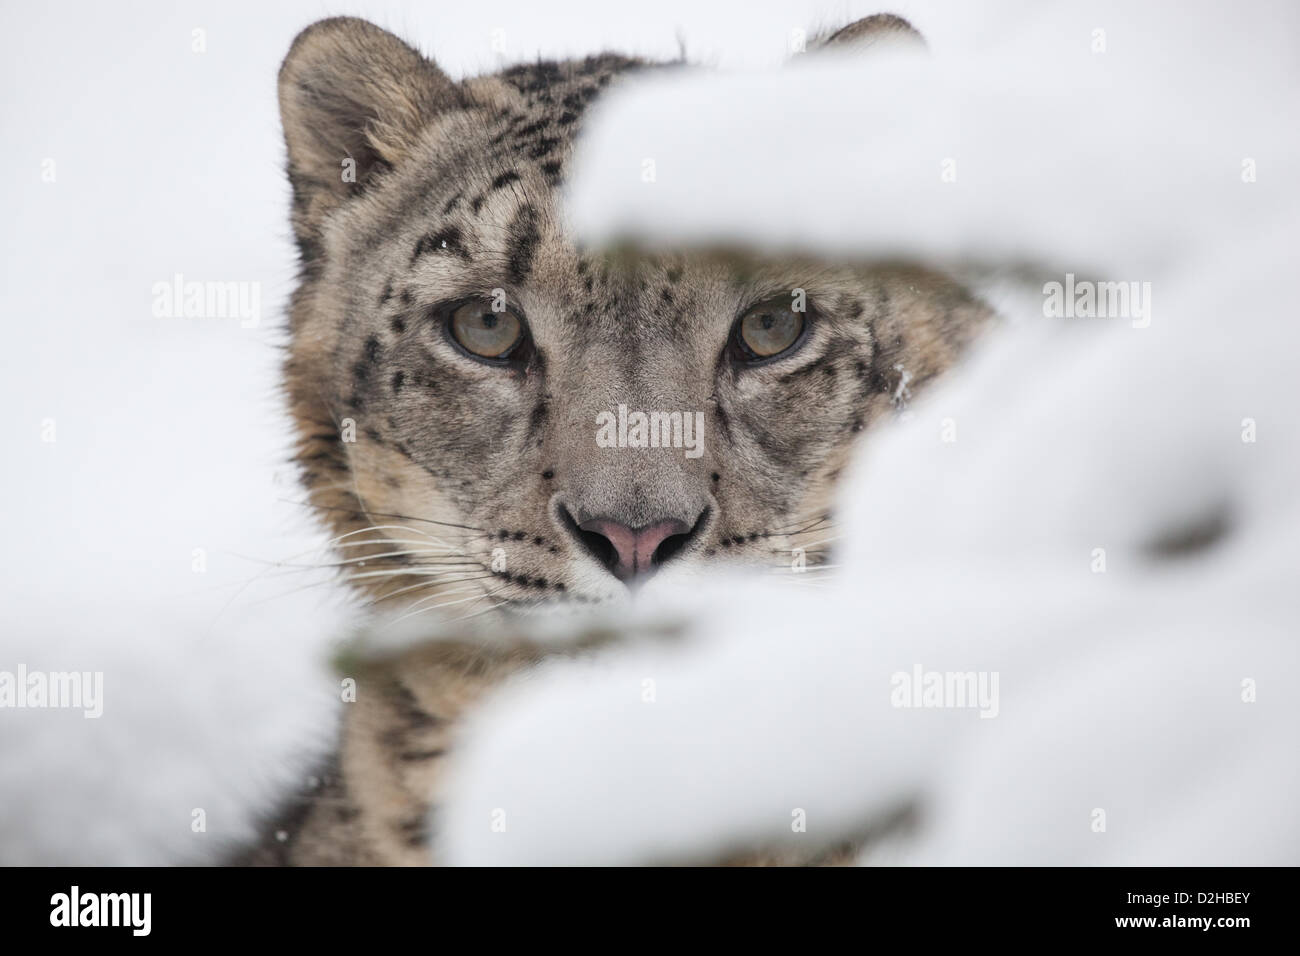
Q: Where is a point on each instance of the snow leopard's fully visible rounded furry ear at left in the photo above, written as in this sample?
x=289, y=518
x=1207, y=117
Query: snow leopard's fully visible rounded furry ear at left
x=354, y=101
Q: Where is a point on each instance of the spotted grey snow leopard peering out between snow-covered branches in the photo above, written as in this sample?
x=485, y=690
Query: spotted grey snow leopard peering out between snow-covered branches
x=456, y=357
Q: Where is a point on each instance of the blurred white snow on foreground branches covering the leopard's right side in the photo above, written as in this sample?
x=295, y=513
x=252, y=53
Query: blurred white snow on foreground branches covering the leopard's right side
x=1155, y=697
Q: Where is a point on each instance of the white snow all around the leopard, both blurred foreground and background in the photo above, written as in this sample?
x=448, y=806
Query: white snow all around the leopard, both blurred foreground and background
x=1119, y=691
